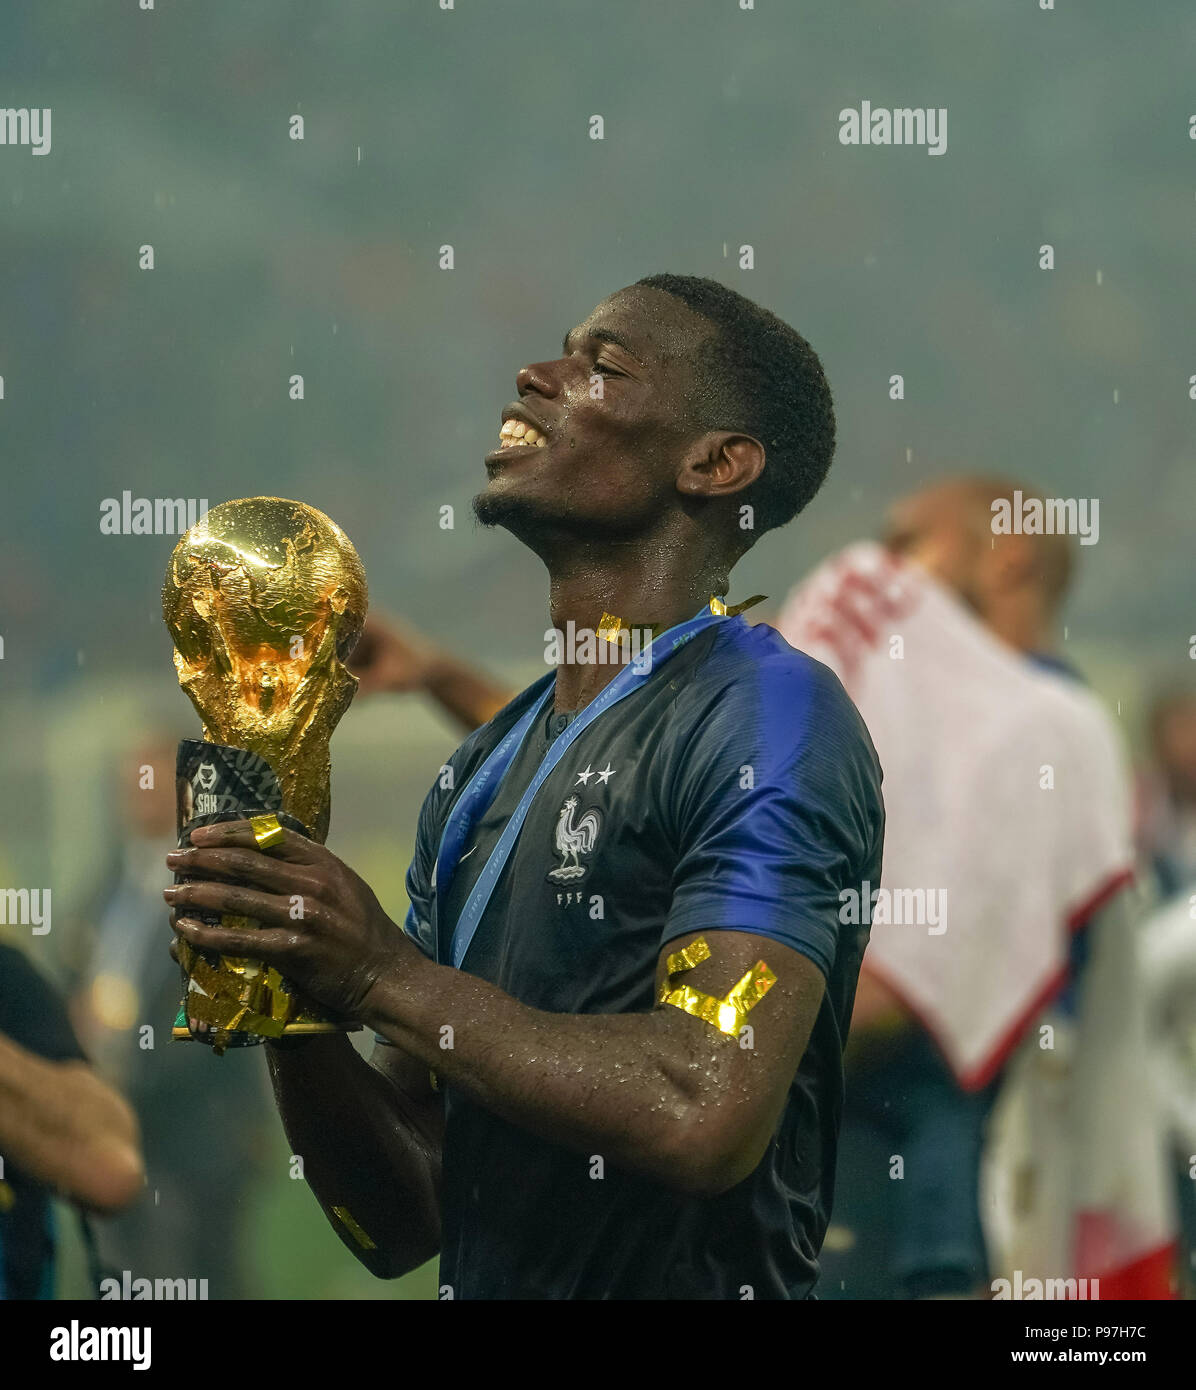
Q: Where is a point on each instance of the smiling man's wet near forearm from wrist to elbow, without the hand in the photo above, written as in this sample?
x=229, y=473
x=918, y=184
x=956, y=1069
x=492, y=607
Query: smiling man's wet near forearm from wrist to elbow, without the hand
x=639, y=1089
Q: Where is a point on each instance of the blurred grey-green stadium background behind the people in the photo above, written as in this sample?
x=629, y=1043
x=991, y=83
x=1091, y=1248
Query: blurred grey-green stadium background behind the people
x=469, y=129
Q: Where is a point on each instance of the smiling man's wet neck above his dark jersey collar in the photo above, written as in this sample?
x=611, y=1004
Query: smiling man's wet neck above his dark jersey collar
x=657, y=594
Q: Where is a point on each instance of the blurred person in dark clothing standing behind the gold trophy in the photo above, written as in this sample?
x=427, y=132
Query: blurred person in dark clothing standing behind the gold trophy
x=204, y=1121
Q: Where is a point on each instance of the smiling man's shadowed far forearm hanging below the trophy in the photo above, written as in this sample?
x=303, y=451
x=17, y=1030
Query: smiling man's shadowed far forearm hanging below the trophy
x=366, y=1154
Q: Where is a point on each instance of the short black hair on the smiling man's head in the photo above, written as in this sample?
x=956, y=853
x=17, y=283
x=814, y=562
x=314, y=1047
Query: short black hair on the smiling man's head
x=760, y=376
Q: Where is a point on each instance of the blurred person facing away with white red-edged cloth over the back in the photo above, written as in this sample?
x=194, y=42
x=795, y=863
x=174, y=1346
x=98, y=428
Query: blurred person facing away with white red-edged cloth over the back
x=1008, y=801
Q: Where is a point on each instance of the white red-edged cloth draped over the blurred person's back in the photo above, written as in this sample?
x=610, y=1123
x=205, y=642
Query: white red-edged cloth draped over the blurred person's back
x=1006, y=794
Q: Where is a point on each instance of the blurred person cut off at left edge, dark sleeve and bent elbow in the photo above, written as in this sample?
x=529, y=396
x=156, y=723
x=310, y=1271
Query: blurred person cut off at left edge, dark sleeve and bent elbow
x=63, y=1131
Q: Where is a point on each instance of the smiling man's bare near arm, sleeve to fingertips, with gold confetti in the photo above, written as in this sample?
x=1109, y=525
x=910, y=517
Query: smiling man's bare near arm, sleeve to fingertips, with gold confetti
x=658, y=1092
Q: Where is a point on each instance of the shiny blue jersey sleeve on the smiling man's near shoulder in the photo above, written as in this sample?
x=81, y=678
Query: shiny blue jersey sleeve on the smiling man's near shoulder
x=777, y=811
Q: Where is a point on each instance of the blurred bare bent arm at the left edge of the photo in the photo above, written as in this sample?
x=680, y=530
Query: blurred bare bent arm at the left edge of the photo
x=69, y=1129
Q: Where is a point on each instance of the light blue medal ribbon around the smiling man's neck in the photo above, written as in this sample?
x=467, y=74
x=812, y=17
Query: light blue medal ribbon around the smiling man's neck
x=483, y=787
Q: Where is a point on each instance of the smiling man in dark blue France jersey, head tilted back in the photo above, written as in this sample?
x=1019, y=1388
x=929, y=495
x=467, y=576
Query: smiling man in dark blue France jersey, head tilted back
x=608, y=1043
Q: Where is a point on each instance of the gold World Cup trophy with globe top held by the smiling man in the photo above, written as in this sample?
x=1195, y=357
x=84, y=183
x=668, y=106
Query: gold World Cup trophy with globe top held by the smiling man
x=265, y=601
